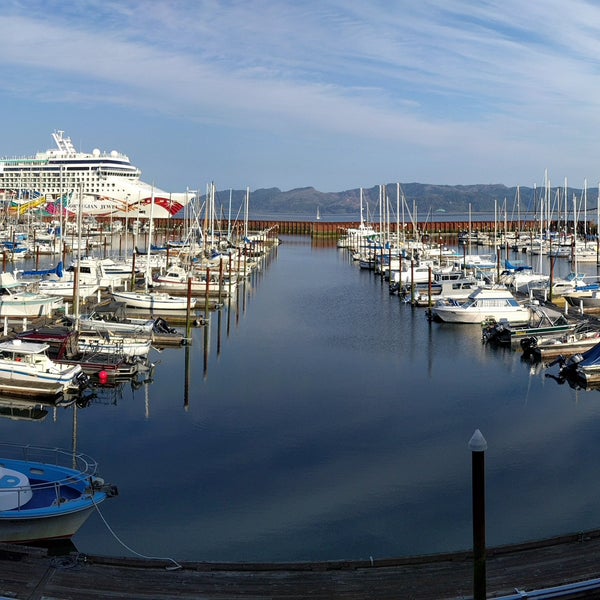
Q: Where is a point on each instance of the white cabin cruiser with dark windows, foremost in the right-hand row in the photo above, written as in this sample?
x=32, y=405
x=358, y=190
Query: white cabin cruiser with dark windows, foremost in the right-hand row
x=483, y=304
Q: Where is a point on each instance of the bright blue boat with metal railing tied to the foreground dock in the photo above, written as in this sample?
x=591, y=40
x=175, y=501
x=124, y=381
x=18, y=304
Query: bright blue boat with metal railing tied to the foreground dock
x=47, y=493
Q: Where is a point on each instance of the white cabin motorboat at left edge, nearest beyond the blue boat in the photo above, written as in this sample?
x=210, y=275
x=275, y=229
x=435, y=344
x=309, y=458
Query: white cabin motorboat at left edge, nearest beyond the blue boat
x=26, y=369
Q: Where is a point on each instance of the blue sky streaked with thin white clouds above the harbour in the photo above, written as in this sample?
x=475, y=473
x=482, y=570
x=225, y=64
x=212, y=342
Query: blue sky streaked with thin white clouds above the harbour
x=333, y=94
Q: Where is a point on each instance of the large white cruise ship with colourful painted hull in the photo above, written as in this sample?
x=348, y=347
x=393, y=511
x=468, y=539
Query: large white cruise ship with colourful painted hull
x=102, y=184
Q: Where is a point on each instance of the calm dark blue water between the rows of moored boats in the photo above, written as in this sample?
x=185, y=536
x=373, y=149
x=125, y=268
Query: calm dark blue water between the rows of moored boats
x=321, y=418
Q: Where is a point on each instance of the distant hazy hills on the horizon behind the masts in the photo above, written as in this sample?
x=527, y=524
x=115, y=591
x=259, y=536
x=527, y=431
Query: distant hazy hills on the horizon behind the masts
x=302, y=203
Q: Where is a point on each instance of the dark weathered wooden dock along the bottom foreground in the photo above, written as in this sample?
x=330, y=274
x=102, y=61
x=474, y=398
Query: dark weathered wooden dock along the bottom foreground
x=33, y=574
